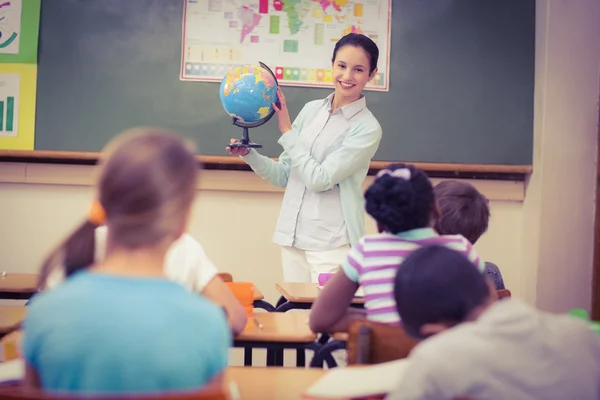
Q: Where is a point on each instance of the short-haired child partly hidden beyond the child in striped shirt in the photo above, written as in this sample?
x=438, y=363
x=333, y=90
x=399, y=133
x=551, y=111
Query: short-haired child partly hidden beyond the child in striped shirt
x=465, y=211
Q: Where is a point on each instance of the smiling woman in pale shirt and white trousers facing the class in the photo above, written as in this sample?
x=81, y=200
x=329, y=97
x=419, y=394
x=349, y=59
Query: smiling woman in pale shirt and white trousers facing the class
x=325, y=159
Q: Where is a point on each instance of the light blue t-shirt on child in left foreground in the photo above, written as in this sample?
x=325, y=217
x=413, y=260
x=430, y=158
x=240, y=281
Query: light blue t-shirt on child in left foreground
x=104, y=333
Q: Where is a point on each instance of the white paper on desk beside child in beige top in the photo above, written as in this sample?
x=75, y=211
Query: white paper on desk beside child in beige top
x=357, y=382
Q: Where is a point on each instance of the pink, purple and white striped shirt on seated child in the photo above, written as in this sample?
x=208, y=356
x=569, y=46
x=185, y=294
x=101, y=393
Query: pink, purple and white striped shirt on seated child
x=374, y=260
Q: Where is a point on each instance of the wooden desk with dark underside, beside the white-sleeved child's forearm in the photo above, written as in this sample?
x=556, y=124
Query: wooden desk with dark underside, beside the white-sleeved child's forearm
x=278, y=331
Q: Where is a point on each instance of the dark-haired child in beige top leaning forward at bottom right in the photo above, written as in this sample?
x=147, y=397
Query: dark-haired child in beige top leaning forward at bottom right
x=478, y=348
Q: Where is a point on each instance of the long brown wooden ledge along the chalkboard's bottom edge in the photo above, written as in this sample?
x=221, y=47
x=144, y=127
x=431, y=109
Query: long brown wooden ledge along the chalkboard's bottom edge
x=434, y=170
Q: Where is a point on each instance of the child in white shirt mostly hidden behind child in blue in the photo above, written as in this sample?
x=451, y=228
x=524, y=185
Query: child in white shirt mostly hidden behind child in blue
x=186, y=263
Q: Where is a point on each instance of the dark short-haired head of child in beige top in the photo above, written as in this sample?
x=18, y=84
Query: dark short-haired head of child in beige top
x=436, y=288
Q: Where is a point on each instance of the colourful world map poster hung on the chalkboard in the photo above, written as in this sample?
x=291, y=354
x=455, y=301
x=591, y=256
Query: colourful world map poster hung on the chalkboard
x=295, y=38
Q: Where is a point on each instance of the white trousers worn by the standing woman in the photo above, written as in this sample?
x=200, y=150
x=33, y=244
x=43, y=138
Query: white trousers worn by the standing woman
x=305, y=266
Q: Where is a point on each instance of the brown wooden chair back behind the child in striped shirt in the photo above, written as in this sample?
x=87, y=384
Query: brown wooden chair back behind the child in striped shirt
x=374, y=342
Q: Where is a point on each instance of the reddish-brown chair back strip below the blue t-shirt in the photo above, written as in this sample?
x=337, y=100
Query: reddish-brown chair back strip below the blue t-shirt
x=20, y=393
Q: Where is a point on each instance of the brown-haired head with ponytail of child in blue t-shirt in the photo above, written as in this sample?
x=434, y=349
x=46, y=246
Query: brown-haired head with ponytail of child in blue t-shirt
x=146, y=185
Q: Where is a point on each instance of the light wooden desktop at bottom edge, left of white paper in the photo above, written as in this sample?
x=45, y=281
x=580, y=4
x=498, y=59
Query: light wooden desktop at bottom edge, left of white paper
x=273, y=383
